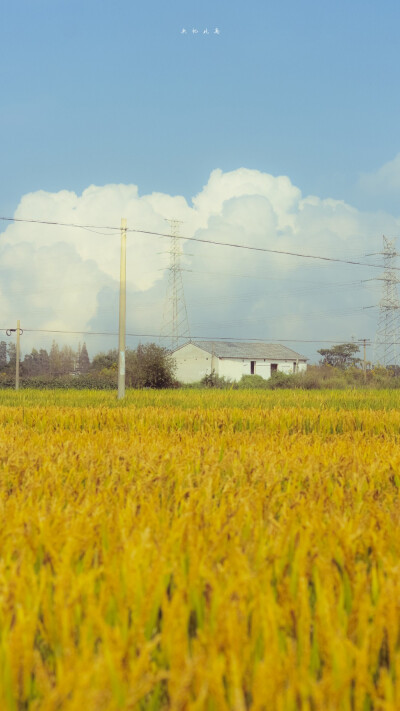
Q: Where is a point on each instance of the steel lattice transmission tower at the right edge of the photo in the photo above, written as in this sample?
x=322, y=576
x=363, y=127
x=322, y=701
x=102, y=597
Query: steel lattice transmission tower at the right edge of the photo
x=388, y=333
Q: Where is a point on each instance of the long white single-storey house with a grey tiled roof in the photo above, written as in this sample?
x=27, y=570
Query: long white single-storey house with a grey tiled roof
x=232, y=359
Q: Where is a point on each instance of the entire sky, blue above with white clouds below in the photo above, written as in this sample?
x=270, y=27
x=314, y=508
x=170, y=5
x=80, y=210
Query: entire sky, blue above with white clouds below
x=271, y=124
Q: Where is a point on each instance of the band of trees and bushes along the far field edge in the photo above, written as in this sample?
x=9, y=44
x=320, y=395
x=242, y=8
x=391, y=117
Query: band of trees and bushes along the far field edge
x=151, y=366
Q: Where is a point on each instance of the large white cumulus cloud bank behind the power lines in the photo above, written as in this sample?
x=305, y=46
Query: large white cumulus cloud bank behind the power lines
x=54, y=277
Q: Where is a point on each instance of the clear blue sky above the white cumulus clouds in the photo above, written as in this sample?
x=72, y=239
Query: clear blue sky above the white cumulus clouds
x=96, y=91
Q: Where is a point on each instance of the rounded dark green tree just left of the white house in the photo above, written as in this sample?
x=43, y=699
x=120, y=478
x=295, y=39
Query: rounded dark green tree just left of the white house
x=149, y=366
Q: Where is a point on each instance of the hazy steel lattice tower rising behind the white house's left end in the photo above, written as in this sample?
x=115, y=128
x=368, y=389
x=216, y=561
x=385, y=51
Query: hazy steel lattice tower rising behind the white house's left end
x=175, y=328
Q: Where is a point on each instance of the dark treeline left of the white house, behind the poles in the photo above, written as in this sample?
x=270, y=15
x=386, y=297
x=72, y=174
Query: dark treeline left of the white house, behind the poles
x=146, y=366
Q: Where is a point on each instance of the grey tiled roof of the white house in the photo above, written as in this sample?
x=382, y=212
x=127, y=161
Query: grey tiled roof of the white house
x=254, y=351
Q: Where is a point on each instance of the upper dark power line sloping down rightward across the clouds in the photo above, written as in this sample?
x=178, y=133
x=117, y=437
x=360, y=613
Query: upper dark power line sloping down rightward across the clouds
x=199, y=240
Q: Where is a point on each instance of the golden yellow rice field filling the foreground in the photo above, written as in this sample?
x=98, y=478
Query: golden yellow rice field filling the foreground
x=199, y=550
